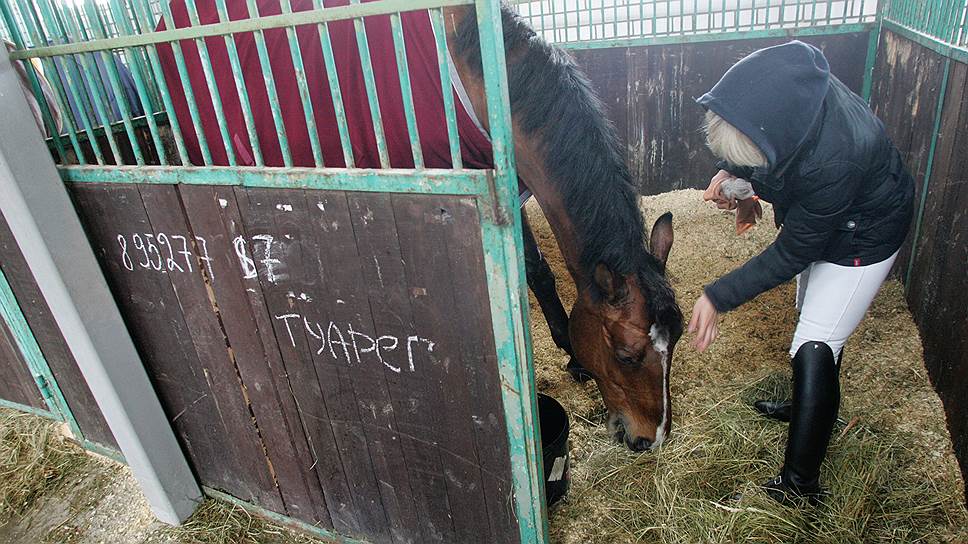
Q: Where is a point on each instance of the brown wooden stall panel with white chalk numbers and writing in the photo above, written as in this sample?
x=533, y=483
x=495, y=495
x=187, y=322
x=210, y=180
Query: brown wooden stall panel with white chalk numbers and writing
x=325, y=355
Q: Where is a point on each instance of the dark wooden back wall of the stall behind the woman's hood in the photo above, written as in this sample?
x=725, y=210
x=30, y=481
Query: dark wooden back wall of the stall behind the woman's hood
x=650, y=96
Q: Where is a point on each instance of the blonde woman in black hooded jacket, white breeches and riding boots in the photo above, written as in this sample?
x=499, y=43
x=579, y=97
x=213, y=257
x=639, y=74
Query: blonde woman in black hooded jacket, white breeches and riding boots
x=843, y=200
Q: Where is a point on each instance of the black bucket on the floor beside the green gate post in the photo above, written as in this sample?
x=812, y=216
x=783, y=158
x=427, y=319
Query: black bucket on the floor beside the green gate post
x=554, y=448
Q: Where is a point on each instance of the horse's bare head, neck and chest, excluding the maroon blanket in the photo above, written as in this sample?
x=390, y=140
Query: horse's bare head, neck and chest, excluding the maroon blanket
x=625, y=323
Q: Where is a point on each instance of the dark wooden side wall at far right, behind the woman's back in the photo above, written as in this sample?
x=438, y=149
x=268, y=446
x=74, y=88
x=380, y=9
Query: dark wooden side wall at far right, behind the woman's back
x=908, y=79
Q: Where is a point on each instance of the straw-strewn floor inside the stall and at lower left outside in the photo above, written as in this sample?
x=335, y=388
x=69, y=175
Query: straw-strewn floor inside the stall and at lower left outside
x=891, y=469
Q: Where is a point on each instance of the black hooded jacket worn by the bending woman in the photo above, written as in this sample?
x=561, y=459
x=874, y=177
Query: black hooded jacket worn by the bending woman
x=837, y=183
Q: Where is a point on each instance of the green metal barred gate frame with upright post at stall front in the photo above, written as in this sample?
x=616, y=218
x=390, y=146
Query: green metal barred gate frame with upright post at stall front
x=132, y=150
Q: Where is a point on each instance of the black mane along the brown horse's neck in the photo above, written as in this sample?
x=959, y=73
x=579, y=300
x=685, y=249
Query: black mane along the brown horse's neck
x=552, y=100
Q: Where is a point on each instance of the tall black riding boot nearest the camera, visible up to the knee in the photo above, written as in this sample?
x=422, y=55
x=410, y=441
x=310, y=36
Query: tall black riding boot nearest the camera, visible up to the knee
x=813, y=411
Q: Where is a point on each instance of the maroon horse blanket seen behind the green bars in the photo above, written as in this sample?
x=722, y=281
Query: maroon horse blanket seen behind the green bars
x=424, y=77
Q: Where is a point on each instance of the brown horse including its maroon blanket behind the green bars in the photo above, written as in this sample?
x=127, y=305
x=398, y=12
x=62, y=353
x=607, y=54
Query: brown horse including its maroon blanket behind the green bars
x=623, y=329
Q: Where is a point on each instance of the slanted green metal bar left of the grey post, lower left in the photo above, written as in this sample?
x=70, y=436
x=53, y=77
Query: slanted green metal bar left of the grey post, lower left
x=30, y=350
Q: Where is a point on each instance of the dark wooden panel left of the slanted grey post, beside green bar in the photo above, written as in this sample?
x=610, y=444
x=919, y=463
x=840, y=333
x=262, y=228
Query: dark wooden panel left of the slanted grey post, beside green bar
x=52, y=344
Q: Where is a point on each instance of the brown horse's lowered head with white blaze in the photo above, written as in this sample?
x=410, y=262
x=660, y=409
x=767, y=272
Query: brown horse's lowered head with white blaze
x=623, y=330
